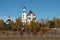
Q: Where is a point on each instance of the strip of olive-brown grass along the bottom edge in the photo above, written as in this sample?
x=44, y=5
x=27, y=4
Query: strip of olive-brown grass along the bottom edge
x=29, y=38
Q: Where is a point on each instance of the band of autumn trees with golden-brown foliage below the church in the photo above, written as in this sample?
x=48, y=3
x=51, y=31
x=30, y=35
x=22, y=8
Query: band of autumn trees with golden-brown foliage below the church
x=34, y=27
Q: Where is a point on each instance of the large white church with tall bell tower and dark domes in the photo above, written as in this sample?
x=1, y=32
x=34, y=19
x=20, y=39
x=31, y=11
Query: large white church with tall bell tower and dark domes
x=27, y=17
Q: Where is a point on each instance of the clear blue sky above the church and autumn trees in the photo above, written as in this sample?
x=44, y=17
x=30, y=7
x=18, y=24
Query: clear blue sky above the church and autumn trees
x=42, y=8
